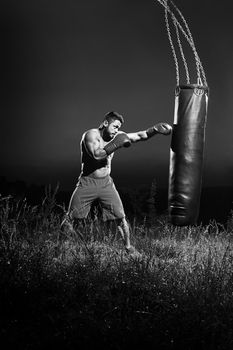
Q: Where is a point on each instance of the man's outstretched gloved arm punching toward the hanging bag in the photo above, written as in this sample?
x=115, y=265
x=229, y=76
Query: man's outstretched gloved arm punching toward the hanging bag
x=160, y=128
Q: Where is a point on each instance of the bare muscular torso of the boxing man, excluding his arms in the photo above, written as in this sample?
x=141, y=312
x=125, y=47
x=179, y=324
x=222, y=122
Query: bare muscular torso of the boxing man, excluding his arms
x=90, y=165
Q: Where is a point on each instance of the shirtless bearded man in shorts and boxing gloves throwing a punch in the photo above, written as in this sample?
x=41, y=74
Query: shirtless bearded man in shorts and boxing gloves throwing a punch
x=97, y=150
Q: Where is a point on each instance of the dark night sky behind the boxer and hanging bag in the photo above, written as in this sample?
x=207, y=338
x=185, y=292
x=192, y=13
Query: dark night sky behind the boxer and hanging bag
x=66, y=63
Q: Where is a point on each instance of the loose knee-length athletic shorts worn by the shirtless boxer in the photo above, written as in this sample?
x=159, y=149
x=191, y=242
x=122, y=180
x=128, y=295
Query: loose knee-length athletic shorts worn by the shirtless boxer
x=90, y=189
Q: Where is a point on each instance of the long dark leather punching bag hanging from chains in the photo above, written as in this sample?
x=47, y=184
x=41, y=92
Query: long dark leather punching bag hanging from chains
x=186, y=154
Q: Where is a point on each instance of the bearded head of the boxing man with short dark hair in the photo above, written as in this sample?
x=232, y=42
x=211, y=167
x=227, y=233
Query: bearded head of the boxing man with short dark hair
x=111, y=125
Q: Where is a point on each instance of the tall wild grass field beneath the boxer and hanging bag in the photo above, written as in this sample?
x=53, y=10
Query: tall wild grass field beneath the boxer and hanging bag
x=59, y=290
